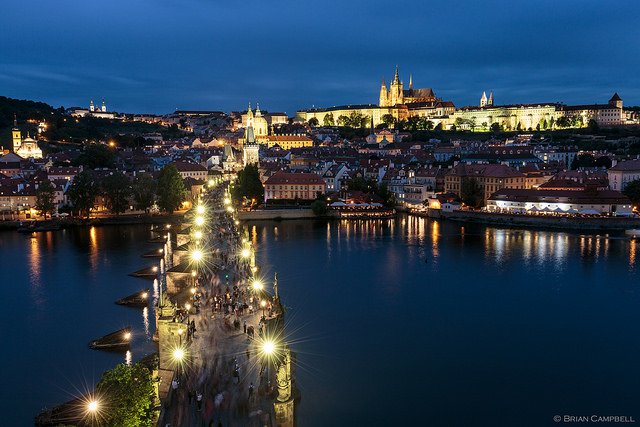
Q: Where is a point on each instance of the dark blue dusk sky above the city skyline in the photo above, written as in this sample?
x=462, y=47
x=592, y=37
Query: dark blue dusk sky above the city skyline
x=158, y=55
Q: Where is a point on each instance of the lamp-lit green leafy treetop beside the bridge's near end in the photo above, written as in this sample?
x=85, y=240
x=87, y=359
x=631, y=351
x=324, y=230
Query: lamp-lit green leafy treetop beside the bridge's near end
x=127, y=392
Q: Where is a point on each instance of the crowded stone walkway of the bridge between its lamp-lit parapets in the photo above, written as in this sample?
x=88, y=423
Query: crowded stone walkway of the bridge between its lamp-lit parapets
x=224, y=380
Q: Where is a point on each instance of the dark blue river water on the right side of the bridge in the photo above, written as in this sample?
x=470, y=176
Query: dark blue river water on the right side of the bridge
x=464, y=313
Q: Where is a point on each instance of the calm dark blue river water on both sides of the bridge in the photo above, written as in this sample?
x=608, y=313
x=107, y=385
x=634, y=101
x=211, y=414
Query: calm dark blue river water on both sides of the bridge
x=403, y=322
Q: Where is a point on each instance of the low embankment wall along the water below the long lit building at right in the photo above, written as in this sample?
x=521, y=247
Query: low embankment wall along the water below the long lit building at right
x=543, y=221
